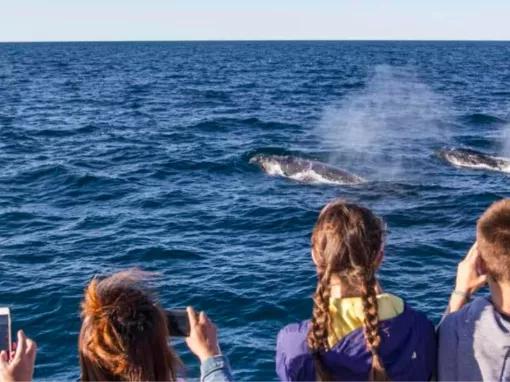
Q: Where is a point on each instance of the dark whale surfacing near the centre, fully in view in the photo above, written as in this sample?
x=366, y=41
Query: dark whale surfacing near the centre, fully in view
x=304, y=170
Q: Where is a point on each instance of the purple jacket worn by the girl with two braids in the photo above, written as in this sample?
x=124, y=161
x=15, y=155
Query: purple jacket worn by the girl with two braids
x=408, y=351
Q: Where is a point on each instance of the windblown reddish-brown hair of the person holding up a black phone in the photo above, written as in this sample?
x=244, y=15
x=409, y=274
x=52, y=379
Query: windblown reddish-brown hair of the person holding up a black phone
x=124, y=335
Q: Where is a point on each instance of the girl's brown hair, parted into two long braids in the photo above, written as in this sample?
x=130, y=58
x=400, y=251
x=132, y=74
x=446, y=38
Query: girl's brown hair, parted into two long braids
x=346, y=242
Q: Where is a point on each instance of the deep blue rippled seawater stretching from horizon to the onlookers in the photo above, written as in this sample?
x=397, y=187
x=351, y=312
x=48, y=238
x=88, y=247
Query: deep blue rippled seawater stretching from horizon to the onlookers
x=118, y=155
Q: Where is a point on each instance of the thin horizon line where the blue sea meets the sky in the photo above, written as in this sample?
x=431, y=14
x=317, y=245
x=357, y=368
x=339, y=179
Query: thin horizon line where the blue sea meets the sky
x=253, y=40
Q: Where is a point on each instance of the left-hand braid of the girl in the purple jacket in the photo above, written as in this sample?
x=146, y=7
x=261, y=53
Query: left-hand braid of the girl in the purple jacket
x=321, y=322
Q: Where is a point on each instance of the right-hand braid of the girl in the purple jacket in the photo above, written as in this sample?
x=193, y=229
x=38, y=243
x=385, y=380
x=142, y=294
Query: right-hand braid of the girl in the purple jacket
x=371, y=325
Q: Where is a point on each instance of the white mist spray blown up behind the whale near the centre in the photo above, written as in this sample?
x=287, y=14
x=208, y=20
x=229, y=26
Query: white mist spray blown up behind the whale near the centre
x=394, y=115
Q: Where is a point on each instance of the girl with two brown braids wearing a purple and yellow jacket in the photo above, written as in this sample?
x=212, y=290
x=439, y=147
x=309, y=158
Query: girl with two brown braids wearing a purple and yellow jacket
x=357, y=332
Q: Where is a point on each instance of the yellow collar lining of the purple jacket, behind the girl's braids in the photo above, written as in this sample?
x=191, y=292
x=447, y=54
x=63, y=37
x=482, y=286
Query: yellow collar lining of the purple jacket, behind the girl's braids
x=347, y=313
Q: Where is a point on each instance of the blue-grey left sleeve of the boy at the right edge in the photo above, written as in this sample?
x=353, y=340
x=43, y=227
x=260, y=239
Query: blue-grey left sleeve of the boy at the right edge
x=448, y=342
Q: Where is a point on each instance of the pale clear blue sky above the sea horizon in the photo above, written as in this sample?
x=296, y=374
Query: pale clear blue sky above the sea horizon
x=71, y=20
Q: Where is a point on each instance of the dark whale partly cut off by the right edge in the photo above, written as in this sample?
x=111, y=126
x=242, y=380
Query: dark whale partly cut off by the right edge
x=473, y=159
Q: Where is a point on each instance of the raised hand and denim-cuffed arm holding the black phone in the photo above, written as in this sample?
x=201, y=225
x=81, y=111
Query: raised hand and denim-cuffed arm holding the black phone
x=203, y=342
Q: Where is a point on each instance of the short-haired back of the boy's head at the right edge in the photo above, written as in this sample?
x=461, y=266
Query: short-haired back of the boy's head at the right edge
x=493, y=240
